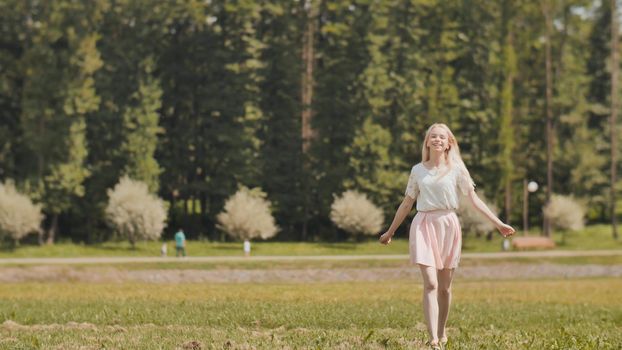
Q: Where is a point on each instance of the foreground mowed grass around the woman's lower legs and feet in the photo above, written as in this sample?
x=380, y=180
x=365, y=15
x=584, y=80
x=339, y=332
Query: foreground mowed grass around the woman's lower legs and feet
x=558, y=314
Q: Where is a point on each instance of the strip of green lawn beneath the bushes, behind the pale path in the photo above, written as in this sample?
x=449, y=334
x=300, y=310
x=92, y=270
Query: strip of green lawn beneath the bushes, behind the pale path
x=593, y=237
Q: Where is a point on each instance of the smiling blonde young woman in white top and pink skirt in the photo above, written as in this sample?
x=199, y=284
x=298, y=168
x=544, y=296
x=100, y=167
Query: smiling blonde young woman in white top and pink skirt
x=435, y=234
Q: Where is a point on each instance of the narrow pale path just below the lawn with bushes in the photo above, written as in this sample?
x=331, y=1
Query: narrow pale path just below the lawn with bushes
x=277, y=258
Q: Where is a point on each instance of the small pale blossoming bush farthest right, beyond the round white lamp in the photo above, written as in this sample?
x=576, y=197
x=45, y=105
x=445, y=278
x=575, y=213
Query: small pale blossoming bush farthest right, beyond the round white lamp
x=565, y=212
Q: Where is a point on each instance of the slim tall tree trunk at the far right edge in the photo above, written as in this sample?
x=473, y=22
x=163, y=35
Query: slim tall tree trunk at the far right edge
x=614, y=111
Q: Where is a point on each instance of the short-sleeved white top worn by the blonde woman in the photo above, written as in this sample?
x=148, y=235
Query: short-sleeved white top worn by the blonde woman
x=437, y=189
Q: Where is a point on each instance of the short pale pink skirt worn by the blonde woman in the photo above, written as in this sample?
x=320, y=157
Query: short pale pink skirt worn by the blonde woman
x=436, y=239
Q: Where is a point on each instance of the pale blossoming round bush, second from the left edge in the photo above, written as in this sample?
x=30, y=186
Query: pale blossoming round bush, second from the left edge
x=135, y=213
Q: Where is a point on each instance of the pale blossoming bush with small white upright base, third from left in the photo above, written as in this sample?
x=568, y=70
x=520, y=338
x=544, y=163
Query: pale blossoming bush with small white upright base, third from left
x=247, y=215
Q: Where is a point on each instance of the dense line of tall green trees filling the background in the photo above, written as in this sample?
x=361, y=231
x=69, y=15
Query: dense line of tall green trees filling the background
x=197, y=98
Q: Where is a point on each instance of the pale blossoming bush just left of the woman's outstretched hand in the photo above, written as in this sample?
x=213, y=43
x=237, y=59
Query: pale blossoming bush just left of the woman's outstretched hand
x=355, y=214
